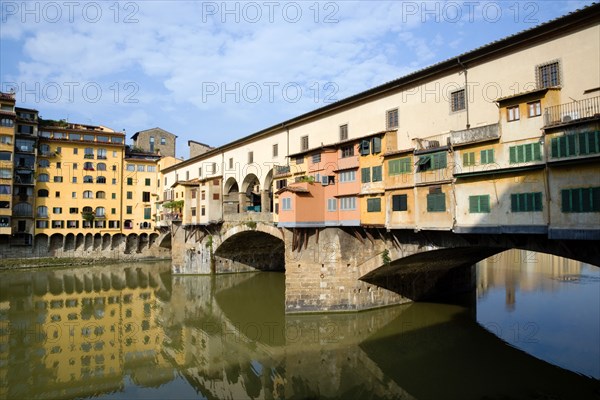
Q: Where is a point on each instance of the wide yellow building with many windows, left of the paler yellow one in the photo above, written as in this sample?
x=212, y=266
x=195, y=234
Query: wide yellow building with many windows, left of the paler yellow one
x=79, y=179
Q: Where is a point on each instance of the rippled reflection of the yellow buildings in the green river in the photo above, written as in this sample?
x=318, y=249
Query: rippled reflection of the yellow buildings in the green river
x=69, y=334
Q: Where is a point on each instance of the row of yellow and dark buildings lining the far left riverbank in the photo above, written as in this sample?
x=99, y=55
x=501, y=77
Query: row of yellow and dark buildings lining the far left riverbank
x=59, y=178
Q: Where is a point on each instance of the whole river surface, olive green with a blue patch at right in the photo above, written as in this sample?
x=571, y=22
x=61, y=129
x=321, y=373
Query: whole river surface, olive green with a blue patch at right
x=134, y=332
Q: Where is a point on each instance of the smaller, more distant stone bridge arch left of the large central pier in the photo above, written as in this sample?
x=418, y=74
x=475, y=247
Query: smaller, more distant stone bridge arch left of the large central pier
x=249, y=246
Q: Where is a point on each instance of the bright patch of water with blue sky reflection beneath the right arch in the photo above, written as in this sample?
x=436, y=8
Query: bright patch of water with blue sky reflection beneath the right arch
x=546, y=305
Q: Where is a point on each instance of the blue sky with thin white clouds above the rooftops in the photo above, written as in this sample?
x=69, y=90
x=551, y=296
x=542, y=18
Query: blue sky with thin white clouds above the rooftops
x=215, y=71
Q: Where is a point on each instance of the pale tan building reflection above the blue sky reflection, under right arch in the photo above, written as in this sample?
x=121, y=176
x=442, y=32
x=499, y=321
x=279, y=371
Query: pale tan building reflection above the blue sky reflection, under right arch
x=525, y=271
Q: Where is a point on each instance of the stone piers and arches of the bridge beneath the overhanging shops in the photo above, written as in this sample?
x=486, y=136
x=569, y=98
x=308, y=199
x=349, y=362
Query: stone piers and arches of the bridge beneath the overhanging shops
x=353, y=269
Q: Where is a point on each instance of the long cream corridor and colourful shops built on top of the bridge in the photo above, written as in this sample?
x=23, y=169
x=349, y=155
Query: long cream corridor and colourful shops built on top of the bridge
x=501, y=139
